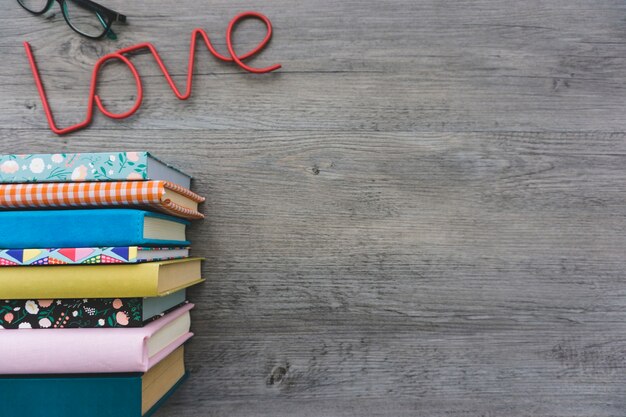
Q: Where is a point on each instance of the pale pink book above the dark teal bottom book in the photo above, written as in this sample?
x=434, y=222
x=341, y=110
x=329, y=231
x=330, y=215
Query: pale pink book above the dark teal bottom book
x=67, y=351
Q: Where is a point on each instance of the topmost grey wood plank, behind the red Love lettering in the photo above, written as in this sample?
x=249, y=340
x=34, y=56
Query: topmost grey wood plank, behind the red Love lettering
x=400, y=66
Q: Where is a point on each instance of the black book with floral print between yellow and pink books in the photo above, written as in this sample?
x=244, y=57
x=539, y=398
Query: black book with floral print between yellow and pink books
x=86, y=312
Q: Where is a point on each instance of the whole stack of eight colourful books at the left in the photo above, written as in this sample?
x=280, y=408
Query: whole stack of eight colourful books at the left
x=94, y=266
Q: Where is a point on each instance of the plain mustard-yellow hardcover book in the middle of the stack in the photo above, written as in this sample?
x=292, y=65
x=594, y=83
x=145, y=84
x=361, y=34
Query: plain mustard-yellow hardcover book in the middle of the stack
x=148, y=279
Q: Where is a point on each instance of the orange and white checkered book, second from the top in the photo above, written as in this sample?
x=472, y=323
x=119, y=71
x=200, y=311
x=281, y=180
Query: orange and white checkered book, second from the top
x=159, y=195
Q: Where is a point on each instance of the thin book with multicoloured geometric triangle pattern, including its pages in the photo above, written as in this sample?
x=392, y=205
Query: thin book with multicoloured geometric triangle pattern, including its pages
x=76, y=256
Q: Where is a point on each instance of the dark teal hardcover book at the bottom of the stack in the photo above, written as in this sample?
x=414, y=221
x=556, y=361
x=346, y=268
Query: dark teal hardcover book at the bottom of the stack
x=103, y=395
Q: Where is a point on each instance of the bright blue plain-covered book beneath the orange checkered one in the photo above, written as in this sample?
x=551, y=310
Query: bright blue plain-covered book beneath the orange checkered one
x=89, y=227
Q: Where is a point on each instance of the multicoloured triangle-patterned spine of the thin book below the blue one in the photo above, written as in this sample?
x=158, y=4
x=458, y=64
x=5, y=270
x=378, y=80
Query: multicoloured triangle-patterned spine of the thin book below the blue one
x=68, y=256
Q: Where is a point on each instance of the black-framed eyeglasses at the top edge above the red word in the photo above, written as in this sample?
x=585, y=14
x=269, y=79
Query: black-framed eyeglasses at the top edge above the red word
x=83, y=16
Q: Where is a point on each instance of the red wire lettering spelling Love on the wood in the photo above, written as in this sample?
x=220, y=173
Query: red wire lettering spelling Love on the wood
x=119, y=55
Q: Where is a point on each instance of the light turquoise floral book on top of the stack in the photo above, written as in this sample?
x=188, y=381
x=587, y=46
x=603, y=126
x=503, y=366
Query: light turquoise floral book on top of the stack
x=102, y=166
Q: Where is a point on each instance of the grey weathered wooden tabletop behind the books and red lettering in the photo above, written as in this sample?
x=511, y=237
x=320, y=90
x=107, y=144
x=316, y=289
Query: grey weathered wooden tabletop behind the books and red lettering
x=422, y=214
